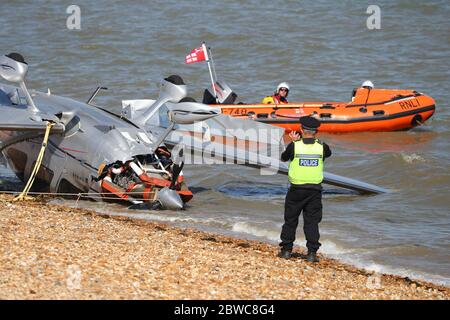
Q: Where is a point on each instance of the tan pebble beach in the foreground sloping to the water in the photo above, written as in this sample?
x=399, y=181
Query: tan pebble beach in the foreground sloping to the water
x=55, y=252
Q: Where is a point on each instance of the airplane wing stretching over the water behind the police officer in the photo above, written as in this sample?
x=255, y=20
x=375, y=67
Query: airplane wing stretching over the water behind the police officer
x=216, y=147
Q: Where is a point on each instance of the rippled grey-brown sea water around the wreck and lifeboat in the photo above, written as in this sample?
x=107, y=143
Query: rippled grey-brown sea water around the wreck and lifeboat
x=324, y=50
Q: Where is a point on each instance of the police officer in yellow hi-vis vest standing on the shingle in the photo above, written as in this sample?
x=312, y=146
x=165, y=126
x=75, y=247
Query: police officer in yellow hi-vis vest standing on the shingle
x=306, y=154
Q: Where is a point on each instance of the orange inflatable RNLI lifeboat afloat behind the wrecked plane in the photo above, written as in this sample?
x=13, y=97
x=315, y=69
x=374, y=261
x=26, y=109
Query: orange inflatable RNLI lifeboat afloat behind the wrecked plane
x=369, y=110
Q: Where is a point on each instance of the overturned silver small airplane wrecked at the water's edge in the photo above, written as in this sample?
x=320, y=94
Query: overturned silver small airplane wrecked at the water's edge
x=107, y=156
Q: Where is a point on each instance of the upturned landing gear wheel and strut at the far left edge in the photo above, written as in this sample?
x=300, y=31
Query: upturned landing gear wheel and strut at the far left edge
x=13, y=68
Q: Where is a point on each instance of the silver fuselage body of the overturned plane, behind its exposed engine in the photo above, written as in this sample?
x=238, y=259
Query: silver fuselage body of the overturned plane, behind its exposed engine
x=92, y=138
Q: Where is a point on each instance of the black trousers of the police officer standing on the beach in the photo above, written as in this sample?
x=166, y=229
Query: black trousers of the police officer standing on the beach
x=308, y=201
